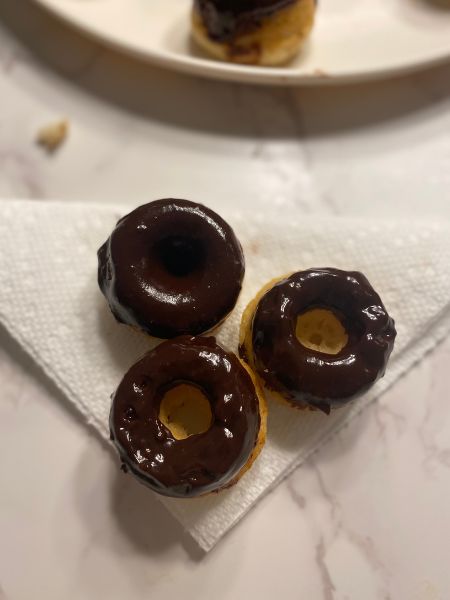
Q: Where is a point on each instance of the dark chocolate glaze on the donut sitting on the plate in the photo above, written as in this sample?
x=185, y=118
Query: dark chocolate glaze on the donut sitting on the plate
x=224, y=19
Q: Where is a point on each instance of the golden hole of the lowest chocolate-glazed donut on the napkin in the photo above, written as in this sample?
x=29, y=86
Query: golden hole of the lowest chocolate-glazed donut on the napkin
x=185, y=410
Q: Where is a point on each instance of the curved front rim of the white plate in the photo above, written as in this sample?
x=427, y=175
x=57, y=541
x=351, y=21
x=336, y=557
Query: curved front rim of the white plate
x=212, y=69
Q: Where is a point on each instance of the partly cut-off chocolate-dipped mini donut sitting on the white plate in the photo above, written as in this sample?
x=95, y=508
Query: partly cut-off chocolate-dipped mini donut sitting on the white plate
x=257, y=32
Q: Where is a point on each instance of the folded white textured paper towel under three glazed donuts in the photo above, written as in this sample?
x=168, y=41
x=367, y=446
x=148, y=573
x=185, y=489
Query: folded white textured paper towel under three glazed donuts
x=50, y=302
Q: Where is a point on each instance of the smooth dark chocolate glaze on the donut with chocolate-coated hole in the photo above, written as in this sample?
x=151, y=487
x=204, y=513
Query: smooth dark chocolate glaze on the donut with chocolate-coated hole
x=171, y=267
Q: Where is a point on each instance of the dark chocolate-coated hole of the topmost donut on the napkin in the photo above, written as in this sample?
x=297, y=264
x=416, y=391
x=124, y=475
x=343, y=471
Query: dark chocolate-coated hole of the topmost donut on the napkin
x=180, y=255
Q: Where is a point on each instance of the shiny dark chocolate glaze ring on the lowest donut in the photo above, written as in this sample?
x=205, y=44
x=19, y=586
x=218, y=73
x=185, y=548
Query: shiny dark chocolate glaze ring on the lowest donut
x=201, y=463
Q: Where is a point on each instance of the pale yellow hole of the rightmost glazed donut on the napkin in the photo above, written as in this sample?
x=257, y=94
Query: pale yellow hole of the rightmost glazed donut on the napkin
x=319, y=329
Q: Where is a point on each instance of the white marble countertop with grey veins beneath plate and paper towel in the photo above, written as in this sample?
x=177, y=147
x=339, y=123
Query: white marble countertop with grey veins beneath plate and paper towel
x=367, y=517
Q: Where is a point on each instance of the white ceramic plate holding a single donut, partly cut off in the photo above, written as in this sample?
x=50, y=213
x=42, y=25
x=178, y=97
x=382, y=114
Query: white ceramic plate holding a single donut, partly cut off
x=352, y=40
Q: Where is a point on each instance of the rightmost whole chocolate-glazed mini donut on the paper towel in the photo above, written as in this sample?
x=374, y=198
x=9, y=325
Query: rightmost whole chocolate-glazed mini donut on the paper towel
x=318, y=338
